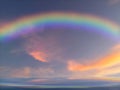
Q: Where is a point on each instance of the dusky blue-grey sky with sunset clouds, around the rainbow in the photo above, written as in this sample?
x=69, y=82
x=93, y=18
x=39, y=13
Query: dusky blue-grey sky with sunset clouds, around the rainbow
x=60, y=54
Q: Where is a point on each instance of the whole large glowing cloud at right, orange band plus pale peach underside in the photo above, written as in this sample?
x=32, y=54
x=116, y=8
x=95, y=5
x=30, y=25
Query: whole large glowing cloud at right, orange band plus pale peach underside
x=105, y=68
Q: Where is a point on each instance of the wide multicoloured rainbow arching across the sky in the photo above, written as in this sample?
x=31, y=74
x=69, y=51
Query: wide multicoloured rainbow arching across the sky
x=24, y=24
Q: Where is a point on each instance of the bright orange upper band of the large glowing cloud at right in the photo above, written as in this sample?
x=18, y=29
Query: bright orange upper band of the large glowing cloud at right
x=111, y=59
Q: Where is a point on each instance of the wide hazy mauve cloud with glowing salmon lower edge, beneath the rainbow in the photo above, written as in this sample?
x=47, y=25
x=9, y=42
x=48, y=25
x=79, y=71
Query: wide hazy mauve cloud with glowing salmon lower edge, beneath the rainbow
x=41, y=48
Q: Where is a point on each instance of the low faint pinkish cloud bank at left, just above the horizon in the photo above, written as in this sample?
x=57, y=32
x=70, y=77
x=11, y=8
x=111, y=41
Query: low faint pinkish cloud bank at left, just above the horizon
x=26, y=72
